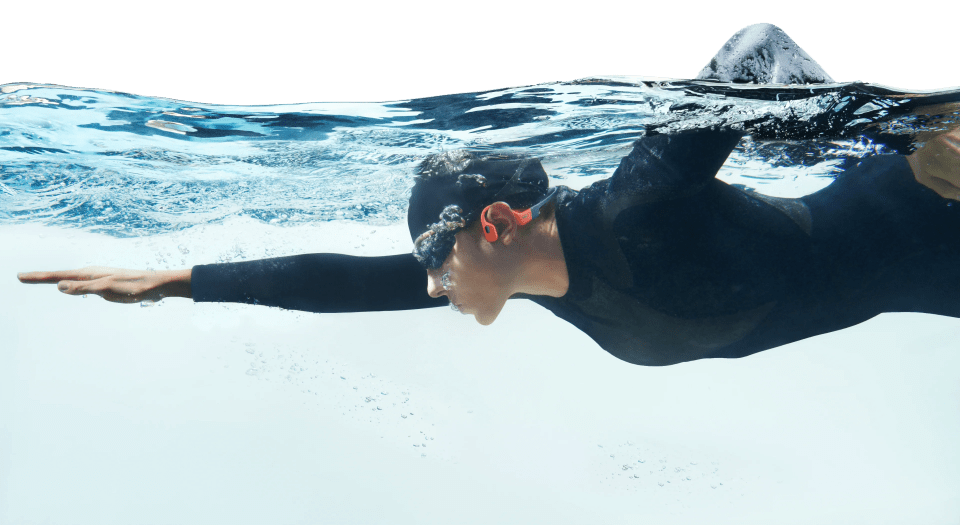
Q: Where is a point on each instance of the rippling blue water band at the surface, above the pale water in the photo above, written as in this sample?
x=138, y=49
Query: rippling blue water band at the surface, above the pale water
x=130, y=165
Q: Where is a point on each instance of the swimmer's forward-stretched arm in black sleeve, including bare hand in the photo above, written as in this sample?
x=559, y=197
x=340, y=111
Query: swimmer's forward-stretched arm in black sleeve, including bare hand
x=323, y=282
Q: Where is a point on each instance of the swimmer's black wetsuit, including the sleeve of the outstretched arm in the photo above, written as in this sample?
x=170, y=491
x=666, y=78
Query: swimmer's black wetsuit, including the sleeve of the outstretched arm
x=668, y=264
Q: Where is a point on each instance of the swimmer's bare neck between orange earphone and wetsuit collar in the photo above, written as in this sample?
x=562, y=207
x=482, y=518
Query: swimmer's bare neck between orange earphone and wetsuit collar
x=543, y=269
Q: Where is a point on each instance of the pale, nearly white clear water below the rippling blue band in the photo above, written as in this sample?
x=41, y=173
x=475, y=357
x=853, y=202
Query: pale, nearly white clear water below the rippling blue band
x=195, y=413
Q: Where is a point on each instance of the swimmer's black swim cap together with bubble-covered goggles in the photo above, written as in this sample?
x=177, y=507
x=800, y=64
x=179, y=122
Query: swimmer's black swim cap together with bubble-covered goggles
x=452, y=188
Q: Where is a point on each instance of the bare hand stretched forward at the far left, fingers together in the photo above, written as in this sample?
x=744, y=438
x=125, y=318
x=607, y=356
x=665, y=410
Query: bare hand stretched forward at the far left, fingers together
x=114, y=284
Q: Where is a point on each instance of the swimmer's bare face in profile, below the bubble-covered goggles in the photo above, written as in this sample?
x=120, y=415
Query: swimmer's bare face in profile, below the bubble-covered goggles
x=478, y=276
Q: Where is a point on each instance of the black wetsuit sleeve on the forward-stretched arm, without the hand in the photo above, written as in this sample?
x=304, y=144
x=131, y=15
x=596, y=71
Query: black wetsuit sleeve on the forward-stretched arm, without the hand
x=322, y=282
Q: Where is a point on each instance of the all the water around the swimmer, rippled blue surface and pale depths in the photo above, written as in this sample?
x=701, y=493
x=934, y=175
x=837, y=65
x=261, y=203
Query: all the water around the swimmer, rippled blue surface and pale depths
x=198, y=412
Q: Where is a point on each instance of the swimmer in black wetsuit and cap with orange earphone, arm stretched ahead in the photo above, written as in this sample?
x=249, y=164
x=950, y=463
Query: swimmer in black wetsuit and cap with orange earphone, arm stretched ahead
x=659, y=264
